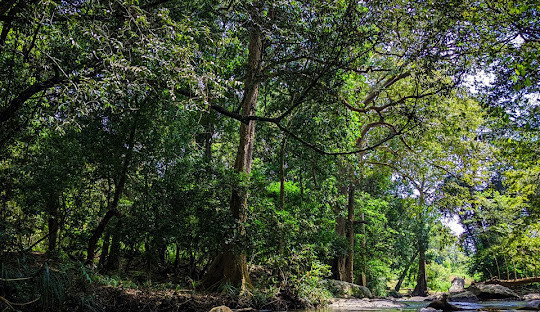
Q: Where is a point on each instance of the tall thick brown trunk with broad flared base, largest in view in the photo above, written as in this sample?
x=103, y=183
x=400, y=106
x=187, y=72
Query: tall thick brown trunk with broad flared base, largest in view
x=230, y=266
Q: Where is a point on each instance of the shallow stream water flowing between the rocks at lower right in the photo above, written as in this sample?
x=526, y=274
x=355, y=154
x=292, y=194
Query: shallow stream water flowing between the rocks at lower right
x=415, y=305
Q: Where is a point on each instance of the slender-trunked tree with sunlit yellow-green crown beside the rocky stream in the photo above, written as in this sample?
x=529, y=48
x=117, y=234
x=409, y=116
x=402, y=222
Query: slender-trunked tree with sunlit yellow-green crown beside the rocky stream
x=446, y=146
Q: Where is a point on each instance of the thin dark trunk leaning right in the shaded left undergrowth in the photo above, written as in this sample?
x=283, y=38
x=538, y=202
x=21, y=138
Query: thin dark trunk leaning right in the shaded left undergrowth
x=113, y=209
